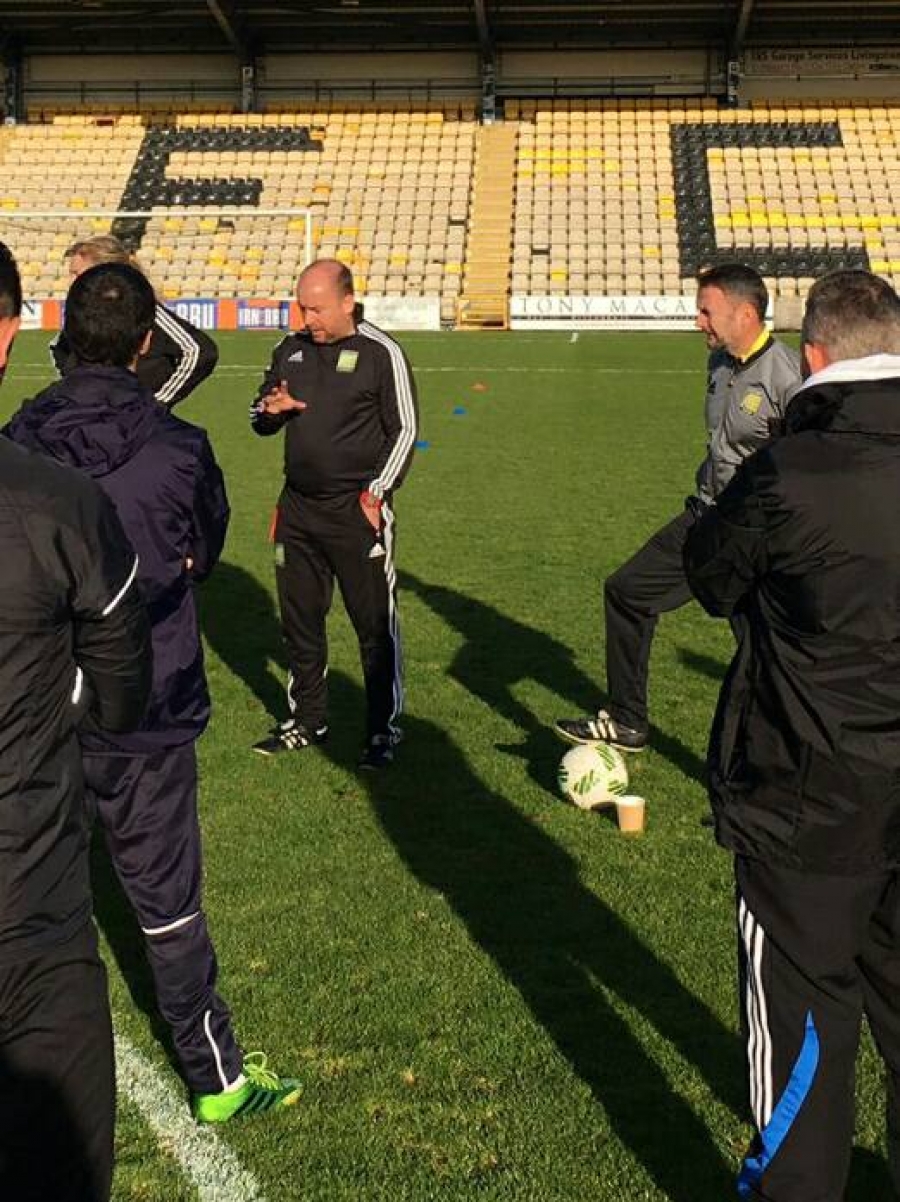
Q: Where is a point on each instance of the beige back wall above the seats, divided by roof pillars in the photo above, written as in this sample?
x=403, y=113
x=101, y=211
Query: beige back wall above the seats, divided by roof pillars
x=833, y=73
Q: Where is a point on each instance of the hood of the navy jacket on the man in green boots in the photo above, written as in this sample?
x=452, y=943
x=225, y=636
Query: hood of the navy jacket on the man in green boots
x=96, y=419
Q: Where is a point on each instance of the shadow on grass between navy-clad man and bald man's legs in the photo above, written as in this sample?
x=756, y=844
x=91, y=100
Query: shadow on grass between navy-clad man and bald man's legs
x=241, y=624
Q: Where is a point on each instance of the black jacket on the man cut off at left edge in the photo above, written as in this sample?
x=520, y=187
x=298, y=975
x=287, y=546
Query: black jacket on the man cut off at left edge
x=74, y=650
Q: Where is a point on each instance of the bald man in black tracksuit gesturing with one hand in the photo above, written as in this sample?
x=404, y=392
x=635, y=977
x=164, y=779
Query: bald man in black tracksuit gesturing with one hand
x=344, y=394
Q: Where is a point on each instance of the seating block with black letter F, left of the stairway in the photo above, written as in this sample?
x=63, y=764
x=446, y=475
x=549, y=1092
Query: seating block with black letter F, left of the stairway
x=389, y=188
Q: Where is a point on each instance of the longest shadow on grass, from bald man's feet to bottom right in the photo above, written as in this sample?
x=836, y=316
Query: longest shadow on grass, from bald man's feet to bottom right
x=574, y=961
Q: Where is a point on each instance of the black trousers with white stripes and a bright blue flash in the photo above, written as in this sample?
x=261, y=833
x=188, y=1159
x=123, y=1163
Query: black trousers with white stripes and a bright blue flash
x=818, y=953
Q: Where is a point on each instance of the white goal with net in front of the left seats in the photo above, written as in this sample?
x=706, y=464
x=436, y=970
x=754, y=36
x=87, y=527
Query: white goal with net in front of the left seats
x=218, y=253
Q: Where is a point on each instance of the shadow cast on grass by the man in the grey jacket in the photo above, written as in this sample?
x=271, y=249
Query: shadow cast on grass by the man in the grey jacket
x=499, y=653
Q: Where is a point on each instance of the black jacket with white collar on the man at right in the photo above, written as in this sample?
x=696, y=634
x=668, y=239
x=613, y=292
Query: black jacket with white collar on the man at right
x=806, y=545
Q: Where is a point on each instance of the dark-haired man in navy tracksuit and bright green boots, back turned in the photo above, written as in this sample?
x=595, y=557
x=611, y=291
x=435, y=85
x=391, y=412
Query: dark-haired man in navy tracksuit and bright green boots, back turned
x=170, y=496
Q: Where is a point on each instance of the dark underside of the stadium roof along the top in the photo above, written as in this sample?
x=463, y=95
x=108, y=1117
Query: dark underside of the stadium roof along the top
x=270, y=26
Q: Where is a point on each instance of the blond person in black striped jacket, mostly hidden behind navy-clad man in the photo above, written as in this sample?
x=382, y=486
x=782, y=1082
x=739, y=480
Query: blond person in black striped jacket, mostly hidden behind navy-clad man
x=181, y=356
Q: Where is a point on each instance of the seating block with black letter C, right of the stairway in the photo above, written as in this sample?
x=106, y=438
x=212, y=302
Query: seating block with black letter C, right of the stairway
x=634, y=197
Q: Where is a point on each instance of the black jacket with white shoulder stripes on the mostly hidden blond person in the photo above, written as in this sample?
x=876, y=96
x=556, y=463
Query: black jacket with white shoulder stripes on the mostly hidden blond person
x=178, y=361
